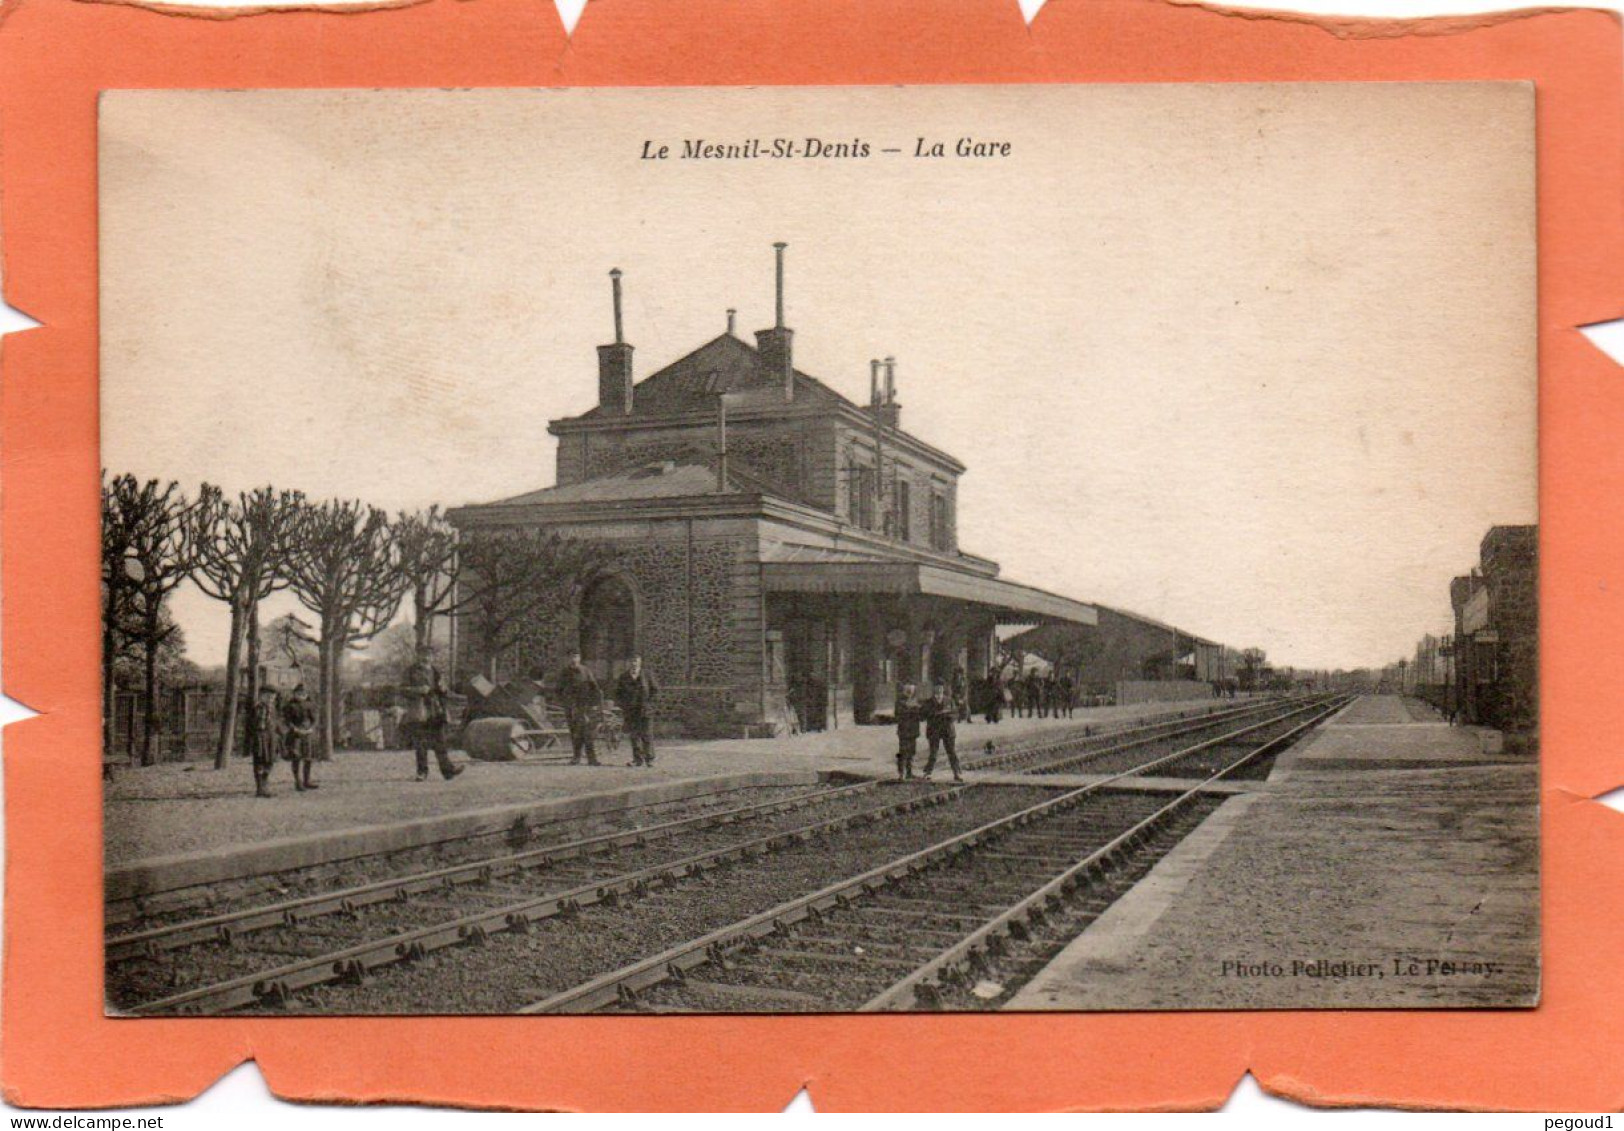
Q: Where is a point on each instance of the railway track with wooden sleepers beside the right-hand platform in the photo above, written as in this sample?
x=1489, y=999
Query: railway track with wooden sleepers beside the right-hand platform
x=935, y=929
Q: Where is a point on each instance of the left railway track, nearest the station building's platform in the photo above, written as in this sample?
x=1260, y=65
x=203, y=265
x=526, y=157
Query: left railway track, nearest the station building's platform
x=264, y=955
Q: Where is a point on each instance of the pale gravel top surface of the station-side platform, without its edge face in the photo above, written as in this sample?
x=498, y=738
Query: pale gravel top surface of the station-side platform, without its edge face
x=181, y=808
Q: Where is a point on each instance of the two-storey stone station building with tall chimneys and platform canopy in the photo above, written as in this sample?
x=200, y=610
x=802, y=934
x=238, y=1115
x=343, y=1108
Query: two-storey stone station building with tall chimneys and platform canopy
x=784, y=555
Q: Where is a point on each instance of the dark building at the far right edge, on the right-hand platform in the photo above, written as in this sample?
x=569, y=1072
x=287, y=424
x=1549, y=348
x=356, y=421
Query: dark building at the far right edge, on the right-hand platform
x=1497, y=648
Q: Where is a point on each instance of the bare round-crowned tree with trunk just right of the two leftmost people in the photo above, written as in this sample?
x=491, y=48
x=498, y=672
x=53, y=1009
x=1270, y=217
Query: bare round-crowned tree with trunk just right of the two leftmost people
x=345, y=568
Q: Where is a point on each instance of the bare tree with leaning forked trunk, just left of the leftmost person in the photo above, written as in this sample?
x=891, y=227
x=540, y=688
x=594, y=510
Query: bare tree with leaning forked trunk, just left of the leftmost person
x=241, y=552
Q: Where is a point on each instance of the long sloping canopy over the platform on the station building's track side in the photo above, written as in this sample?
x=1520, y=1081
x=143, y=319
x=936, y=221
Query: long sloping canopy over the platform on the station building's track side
x=918, y=579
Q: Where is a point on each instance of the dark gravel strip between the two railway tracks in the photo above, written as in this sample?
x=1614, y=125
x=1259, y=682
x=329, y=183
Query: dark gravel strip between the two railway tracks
x=512, y=971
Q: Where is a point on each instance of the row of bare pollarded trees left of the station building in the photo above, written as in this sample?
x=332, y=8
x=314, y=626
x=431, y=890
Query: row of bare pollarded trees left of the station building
x=348, y=563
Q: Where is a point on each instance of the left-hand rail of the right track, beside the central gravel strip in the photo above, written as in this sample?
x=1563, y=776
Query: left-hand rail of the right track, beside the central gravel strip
x=673, y=964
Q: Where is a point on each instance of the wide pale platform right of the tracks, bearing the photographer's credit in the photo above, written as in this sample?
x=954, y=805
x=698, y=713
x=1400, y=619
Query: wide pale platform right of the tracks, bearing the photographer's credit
x=1389, y=862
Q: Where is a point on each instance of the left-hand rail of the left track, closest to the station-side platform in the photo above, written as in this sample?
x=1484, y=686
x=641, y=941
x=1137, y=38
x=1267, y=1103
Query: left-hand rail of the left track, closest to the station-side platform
x=227, y=927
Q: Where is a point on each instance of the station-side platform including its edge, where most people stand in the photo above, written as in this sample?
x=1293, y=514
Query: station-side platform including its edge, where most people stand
x=186, y=815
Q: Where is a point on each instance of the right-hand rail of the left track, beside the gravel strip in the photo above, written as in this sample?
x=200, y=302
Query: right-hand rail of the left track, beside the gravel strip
x=353, y=963
